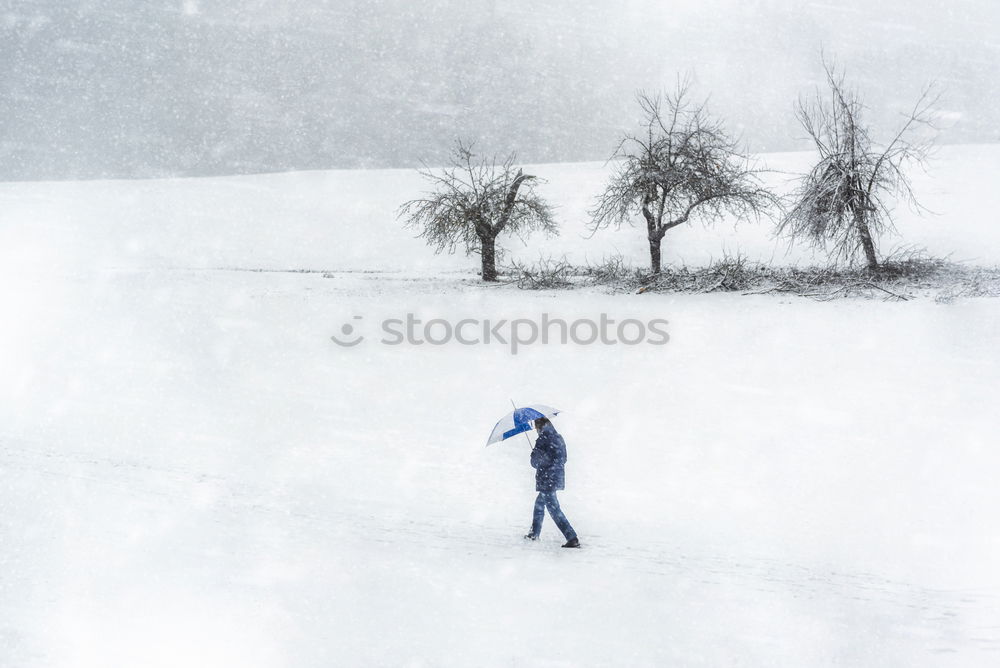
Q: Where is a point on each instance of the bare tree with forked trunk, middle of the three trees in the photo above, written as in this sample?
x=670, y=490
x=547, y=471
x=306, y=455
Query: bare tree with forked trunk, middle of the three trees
x=684, y=166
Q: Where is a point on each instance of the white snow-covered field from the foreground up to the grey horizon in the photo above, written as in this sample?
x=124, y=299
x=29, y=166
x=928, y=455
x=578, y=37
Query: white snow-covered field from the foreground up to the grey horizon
x=193, y=474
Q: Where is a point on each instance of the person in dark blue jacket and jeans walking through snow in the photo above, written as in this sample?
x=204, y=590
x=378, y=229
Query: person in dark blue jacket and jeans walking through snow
x=548, y=458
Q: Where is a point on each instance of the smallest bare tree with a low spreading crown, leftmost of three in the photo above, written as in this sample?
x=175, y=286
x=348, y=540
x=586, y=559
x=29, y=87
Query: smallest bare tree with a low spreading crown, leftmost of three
x=472, y=201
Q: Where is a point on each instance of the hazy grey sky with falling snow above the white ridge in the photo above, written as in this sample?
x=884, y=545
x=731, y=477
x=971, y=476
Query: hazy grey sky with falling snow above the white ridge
x=93, y=87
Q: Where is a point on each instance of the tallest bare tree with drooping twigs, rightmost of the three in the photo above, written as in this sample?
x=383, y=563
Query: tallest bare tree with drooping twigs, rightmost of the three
x=843, y=203
